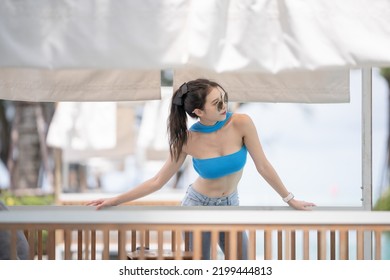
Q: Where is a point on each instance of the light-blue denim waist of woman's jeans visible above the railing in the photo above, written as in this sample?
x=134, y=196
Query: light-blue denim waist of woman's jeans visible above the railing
x=194, y=198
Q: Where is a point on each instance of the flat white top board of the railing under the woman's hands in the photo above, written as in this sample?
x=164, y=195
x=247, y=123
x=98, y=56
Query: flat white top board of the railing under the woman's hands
x=188, y=215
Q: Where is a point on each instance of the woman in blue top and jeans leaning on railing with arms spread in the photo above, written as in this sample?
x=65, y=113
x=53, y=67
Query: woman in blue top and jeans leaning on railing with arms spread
x=218, y=143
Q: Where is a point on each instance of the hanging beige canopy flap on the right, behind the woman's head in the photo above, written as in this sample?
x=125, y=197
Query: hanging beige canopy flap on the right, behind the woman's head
x=302, y=87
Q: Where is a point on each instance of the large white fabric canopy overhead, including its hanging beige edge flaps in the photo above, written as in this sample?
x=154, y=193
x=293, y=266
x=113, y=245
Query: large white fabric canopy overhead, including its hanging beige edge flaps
x=53, y=50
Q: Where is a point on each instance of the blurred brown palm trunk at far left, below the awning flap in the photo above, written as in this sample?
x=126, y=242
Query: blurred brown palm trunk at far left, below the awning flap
x=23, y=142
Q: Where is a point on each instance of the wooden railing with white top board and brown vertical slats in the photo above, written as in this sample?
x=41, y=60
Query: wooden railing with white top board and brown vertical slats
x=81, y=232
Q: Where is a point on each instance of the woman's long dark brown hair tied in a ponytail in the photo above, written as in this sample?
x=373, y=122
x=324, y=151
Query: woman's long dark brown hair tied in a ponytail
x=188, y=97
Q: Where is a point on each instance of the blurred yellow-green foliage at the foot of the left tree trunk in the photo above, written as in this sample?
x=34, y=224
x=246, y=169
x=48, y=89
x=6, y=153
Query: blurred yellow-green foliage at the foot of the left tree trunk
x=11, y=200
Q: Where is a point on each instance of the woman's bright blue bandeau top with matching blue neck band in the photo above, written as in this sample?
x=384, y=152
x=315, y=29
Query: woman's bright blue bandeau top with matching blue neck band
x=216, y=167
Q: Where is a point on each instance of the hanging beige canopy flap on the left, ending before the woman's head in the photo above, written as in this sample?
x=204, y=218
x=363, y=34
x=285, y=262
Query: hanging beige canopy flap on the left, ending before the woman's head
x=79, y=85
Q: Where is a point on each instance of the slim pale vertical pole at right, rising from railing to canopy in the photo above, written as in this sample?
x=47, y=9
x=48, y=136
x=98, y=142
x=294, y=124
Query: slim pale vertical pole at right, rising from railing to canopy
x=367, y=153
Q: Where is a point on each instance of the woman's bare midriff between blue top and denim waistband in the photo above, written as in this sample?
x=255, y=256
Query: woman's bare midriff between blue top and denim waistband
x=218, y=187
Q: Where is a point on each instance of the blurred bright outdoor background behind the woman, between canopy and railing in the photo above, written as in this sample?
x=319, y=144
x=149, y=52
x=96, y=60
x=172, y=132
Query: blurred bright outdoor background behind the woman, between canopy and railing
x=71, y=152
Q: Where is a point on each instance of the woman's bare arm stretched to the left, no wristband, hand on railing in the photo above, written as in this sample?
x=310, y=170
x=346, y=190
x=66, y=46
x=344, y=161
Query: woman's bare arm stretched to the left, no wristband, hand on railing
x=170, y=168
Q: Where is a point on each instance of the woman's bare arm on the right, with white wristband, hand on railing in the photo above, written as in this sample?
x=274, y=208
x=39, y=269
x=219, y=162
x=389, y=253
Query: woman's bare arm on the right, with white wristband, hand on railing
x=263, y=166
